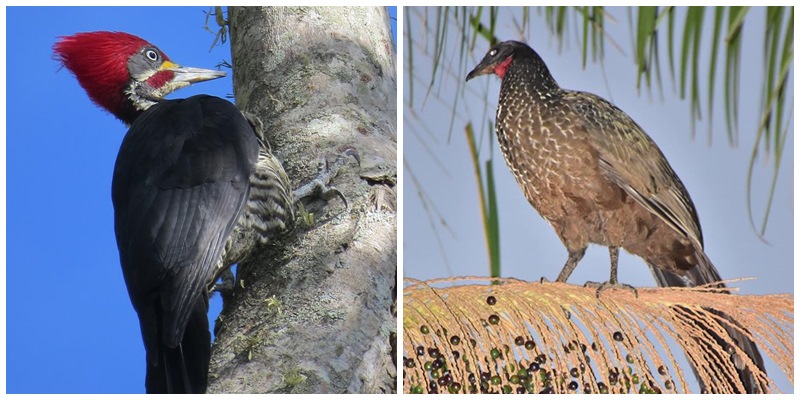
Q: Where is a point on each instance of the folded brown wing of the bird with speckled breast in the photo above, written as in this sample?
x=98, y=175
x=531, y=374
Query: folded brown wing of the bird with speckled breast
x=630, y=158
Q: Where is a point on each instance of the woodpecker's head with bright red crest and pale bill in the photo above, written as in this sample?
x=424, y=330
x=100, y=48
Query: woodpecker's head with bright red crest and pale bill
x=124, y=73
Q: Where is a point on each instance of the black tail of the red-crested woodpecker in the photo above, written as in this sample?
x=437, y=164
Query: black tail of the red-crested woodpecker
x=184, y=369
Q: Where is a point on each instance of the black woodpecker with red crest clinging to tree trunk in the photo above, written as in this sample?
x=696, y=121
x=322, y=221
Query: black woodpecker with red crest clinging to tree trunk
x=191, y=174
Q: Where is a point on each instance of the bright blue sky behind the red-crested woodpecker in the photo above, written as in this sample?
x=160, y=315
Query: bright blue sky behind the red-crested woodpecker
x=70, y=327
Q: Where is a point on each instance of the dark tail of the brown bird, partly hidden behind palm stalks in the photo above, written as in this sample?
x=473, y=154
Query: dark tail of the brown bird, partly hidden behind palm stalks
x=705, y=273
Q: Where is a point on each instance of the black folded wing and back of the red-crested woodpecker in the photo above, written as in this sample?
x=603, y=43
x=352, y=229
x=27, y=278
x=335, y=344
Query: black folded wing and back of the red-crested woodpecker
x=180, y=183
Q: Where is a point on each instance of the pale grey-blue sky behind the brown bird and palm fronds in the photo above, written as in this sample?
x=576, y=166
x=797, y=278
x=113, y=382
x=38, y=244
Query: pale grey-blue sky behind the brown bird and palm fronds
x=715, y=175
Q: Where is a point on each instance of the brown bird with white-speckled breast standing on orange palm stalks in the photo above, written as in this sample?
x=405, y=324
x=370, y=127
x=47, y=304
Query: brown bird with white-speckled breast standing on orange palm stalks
x=597, y=177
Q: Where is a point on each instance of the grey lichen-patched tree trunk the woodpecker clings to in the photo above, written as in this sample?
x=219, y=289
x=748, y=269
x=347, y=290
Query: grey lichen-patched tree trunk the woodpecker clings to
x=314, y=311
